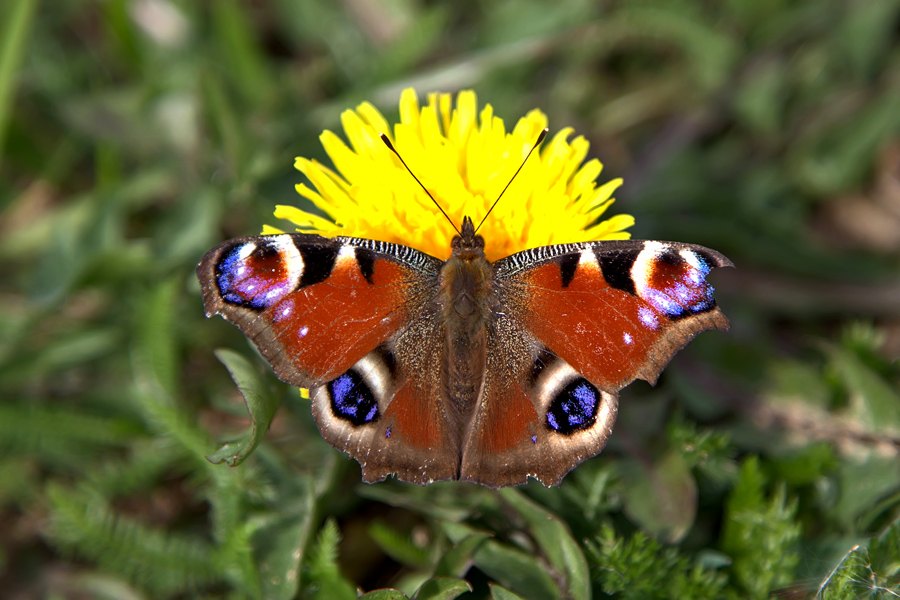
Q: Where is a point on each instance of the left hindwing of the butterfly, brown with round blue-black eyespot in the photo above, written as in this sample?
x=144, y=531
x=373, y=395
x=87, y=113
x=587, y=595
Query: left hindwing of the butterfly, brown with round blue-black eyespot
x=388, y=412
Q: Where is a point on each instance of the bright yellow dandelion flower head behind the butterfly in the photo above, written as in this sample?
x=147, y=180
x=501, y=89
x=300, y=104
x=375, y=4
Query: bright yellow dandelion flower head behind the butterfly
x=465, y=159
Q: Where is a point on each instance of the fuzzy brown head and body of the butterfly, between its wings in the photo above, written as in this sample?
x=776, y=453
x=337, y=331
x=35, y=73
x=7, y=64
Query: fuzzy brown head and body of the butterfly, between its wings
x=466, y=303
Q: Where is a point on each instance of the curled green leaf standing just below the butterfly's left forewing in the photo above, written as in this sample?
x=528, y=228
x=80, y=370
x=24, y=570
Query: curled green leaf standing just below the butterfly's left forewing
x=261, y=404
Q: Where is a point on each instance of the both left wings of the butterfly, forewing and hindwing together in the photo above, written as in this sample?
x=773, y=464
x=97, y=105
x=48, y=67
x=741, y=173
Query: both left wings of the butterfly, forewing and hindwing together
x=351, y=319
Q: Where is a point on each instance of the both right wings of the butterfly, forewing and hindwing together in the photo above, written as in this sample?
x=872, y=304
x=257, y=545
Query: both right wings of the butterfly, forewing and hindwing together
x=578, y=323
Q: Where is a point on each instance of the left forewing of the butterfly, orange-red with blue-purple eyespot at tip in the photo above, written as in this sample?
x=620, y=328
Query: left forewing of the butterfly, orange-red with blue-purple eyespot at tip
x=314, y=306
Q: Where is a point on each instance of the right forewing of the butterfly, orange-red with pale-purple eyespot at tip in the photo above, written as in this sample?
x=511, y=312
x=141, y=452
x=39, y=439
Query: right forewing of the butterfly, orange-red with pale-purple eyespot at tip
x=617, y=310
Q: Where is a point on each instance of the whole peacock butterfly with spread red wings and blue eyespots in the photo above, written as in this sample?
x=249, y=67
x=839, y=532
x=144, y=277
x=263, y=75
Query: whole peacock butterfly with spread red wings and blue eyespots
x=489, y=372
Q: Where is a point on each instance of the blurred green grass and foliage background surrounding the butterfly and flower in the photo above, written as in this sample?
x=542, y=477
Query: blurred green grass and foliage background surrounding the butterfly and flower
x=137, y=134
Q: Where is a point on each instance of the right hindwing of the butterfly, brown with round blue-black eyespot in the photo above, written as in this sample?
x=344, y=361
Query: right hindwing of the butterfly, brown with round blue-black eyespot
x=537, y=417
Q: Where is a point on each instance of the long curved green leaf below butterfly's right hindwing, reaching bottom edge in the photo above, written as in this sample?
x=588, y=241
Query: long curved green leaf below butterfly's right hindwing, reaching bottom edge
x=556, y=543
